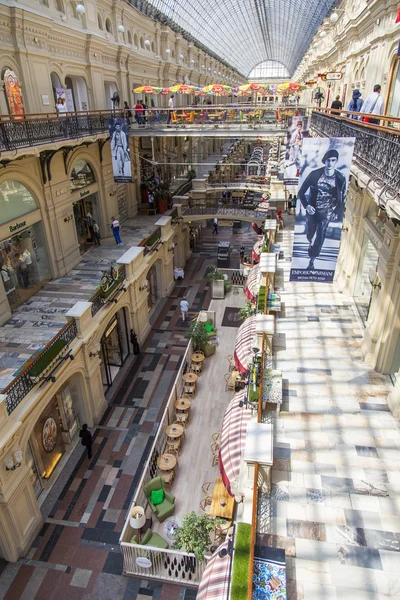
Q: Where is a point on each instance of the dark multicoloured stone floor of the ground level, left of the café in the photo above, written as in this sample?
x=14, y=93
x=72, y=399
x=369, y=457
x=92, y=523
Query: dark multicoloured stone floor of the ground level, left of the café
x=76, y=554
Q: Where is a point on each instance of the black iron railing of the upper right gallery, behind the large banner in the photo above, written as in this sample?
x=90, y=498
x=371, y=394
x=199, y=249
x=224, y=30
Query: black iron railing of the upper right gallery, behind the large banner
x=376, y=151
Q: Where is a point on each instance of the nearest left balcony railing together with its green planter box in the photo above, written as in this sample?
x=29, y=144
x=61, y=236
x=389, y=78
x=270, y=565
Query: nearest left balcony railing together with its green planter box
x=41, y=367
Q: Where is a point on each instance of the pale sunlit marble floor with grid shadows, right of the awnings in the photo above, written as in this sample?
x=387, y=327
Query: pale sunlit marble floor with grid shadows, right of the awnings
x=335, y=501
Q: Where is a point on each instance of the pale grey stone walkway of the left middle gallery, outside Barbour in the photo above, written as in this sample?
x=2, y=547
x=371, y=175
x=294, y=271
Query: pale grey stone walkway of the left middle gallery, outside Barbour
x=39, y=319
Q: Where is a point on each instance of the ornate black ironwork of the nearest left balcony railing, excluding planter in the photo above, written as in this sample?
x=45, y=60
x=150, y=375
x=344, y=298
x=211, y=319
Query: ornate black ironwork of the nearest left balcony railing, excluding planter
x=24, y=382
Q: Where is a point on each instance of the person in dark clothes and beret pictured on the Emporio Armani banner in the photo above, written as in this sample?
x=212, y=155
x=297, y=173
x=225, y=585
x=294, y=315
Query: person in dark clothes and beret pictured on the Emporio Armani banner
x=324, y=202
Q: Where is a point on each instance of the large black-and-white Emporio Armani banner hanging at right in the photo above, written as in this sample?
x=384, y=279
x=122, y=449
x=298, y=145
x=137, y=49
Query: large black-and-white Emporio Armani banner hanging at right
x=321, y=197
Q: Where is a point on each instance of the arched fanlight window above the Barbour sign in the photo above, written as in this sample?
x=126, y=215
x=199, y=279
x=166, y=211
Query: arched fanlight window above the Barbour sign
x=15, y=201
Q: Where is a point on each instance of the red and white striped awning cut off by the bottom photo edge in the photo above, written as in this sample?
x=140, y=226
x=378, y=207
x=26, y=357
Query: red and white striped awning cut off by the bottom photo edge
x=214, y=584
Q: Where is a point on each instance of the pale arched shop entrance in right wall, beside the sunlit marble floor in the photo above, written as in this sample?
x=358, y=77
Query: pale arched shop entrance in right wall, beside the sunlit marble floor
x=363, y=289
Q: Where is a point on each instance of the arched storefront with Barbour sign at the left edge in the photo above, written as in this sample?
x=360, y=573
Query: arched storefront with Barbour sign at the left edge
x=24, y=259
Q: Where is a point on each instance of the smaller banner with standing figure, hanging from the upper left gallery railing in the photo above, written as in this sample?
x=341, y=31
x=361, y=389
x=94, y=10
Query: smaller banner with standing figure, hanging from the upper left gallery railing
x=120, y=153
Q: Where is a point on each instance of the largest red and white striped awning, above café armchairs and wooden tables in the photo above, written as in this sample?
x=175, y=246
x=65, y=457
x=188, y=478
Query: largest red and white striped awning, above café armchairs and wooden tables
x=233, y=439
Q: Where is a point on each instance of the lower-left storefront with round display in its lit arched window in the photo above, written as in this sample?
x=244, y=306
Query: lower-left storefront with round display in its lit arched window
x=53, y=433
